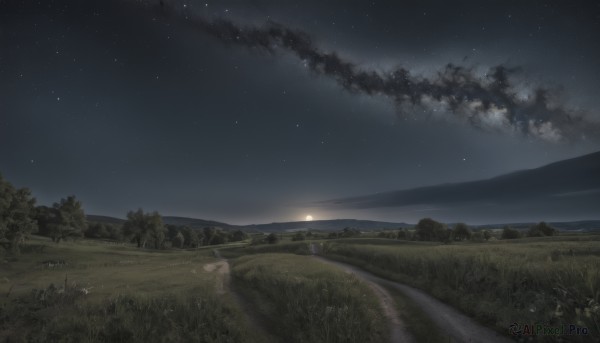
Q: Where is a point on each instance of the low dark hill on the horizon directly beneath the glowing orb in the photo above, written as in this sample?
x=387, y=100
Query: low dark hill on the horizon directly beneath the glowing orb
x=326, y=225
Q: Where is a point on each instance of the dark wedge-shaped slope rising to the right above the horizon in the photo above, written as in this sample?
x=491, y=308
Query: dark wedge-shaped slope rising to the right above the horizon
x=573, y=180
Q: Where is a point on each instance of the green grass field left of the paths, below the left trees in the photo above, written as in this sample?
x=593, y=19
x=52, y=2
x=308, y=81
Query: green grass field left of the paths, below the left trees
x=94, y=292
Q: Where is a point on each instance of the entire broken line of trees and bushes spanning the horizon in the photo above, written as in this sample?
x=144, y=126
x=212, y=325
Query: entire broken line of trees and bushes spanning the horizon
x=66, y=219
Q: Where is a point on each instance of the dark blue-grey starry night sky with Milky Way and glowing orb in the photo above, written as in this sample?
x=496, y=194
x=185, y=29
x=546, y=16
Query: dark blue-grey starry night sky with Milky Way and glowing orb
x=254, y=111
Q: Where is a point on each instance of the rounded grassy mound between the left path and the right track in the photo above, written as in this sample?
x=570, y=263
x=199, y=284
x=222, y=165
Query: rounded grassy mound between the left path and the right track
x=308, y=301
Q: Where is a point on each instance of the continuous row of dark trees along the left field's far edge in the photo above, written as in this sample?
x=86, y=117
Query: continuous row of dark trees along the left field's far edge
x=65, y=219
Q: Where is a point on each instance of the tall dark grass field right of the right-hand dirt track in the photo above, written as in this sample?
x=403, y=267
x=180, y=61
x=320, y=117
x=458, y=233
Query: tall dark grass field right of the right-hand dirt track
x=551, y=283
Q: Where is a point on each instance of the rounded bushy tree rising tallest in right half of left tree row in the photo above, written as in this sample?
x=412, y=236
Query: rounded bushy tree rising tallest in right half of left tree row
x=142, y=227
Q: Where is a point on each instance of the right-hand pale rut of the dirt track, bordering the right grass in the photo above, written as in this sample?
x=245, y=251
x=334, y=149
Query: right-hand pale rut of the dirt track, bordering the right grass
x=455, y=325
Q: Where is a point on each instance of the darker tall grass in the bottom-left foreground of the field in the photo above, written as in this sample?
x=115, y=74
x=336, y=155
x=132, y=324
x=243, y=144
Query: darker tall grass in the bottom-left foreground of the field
x=59, y=315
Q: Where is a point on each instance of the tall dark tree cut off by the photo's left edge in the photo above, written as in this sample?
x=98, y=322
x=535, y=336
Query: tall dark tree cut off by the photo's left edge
x=17, y=215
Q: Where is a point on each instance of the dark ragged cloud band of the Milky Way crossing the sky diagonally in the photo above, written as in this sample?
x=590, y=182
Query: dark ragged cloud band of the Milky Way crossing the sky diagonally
x=490, y=102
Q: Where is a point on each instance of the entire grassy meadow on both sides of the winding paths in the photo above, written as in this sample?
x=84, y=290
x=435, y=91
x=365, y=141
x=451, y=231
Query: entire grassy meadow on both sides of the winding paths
x=95, y=291
